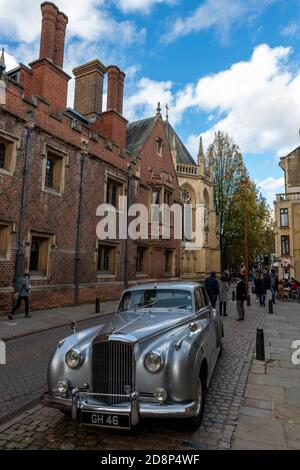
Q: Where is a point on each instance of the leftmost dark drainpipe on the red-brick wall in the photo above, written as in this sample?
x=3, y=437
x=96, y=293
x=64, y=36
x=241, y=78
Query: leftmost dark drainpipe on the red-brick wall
x=30, y=125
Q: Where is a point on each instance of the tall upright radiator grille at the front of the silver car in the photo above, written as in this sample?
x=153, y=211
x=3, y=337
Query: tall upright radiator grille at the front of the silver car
x=112, y=370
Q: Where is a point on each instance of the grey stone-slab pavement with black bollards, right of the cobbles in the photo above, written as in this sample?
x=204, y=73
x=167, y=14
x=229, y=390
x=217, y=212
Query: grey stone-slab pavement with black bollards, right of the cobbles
x=270, y=416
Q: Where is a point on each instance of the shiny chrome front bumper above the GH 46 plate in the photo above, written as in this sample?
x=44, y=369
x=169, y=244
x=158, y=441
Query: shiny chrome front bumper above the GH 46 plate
x=135, y=408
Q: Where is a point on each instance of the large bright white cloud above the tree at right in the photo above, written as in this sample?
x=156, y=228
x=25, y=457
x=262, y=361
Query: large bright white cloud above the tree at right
x=259, y=101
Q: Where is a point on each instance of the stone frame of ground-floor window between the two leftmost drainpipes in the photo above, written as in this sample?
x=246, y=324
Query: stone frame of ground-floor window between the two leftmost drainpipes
x=50, y=244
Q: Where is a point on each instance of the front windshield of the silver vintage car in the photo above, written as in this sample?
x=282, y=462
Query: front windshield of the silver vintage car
x=156, y=299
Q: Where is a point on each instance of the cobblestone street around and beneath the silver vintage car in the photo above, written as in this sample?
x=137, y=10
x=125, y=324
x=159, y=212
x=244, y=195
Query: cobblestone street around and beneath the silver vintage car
x=41, y=428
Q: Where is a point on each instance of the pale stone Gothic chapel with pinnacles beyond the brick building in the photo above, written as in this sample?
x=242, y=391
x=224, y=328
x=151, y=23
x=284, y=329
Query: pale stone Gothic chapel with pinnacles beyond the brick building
x=196, y=186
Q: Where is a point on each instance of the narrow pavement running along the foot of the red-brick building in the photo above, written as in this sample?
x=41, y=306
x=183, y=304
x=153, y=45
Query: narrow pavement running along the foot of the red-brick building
x=44, y=320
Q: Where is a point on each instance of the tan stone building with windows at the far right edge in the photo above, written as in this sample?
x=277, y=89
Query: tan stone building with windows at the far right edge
x=287, y=218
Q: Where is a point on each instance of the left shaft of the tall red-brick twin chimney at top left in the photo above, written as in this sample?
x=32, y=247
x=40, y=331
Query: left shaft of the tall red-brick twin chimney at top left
x=48, y=34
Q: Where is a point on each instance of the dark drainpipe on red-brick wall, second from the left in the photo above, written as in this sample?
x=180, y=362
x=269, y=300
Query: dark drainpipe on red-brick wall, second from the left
x=83, y=155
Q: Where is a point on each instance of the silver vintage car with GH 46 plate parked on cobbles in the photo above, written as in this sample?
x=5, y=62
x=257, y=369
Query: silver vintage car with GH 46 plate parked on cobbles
x=154, y=358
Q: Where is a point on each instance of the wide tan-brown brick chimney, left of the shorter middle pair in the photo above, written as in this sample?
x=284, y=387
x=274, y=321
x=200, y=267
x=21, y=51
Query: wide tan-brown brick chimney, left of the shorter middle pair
x=88, y=98
